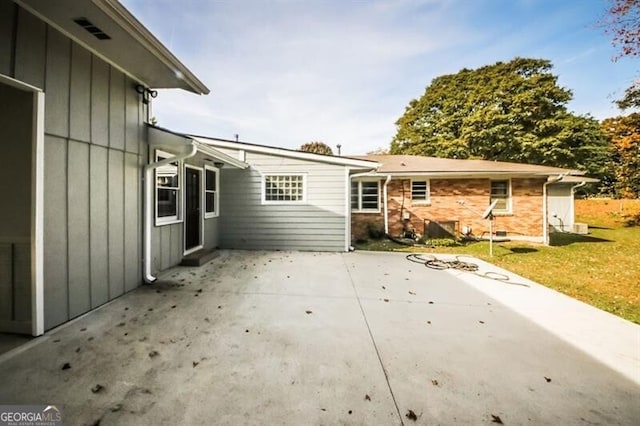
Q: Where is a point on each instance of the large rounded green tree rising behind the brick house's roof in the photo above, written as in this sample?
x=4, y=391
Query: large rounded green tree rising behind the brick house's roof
x=509, y=111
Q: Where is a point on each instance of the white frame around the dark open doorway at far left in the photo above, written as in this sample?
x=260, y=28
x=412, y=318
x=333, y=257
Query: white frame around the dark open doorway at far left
x=37, y=202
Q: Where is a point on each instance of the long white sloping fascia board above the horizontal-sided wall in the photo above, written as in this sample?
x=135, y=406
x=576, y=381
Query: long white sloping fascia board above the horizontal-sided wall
x=282, y=152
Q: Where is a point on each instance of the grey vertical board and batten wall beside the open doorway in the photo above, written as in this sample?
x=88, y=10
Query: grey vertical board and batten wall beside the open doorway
x=93, y=151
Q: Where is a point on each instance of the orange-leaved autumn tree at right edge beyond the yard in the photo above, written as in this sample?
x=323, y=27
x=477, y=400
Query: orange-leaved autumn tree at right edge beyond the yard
x=624, y=134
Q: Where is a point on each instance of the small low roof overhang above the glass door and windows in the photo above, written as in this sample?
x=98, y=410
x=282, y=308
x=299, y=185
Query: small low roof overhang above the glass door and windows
x=163, y=138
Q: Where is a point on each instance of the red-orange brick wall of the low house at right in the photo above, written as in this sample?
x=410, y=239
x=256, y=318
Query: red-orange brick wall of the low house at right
x=525, y=219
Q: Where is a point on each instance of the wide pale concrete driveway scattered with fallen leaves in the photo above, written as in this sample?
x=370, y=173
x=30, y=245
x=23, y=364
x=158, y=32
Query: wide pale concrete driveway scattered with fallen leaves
x=333, y=338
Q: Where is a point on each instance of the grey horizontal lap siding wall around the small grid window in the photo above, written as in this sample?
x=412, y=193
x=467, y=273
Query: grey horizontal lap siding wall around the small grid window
x=319, y=223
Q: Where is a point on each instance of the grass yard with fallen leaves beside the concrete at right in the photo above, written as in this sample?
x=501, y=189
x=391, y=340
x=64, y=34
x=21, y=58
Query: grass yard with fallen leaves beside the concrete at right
x=602, y=268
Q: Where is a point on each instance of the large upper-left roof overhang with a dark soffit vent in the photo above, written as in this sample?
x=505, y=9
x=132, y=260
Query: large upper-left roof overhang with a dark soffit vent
x=130, y=47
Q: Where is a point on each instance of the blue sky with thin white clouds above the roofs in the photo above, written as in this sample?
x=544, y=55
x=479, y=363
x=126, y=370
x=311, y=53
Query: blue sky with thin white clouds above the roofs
x=286, y=72
